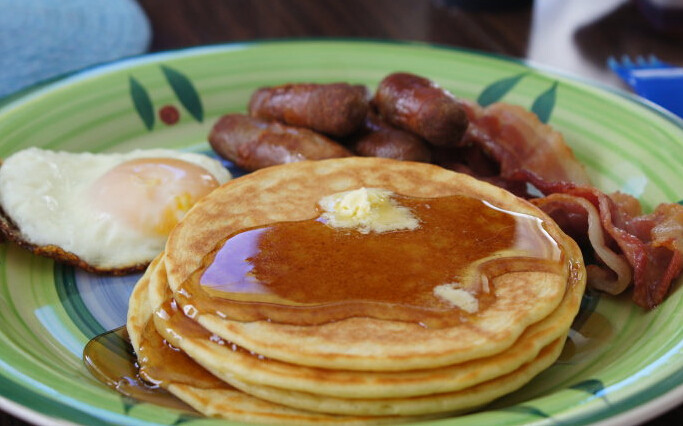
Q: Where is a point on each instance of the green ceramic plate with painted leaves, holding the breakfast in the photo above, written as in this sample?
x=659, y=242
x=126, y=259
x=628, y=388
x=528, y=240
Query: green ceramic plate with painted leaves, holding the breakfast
x=621, y=364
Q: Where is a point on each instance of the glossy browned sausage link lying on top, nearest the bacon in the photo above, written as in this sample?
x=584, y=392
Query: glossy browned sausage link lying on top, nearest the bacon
x=418, y=105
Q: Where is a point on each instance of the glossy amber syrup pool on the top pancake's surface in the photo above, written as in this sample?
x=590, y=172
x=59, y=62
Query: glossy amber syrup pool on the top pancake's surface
x=306, y=272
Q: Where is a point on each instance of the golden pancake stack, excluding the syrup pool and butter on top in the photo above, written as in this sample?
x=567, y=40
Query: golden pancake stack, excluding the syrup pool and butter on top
x=238, y=363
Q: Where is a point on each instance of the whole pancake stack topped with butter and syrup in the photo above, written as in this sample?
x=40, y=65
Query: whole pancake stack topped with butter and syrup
x=359, y=329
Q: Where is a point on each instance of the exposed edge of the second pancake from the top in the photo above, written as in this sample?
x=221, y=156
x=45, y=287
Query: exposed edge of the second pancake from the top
x=228, y=360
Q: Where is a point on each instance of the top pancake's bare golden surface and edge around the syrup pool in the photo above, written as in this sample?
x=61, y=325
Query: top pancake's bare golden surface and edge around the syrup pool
x=291, y=192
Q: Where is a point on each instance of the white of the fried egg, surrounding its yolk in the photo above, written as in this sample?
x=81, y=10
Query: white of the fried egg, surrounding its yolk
x=45, y=194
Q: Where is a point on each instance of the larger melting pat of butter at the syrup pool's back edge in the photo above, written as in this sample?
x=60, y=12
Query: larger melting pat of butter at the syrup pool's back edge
x=367, y=210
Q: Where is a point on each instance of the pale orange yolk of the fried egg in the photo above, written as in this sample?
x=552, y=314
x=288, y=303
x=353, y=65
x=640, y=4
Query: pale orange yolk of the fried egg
x=151, y=195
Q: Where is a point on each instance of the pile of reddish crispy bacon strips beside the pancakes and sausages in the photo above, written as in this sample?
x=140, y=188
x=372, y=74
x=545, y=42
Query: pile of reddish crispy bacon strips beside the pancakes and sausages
x=508, y=146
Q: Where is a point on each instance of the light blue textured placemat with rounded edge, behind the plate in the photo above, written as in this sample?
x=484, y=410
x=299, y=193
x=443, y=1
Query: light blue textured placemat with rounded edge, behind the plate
x=43, y=39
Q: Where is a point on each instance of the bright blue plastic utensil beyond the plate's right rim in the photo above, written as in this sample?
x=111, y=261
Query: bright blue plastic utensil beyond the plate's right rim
x=652, y=79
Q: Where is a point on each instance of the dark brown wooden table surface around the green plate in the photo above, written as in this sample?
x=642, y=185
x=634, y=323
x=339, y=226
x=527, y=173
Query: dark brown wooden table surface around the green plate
x=573, y=36
